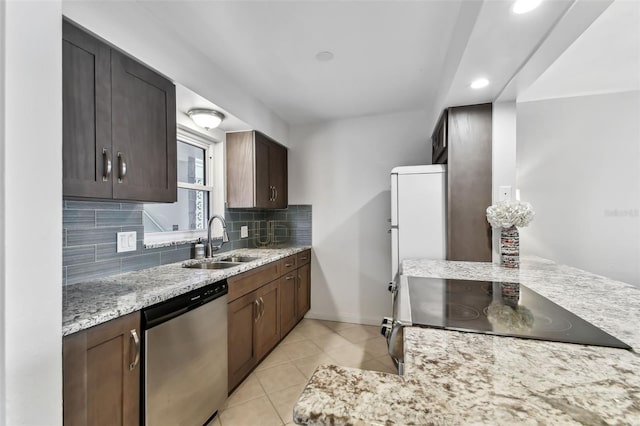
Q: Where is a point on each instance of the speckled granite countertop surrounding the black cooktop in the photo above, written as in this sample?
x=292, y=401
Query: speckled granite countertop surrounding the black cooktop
x=466, y=378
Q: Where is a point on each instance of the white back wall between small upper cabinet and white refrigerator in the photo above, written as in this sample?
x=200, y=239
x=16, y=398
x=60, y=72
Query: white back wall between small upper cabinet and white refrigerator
x=343, y=169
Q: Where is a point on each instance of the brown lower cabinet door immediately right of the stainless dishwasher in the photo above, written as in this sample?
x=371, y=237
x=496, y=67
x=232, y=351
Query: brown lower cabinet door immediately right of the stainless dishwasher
x=242, y=355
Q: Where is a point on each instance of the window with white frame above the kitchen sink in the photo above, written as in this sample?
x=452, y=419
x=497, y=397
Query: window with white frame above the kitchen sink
x=186, y=218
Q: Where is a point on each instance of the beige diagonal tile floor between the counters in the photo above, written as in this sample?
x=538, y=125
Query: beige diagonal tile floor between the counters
x=267, y=396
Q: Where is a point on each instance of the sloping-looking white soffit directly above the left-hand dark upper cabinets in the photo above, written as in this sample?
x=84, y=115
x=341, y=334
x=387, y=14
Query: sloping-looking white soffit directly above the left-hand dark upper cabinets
x=132, y=28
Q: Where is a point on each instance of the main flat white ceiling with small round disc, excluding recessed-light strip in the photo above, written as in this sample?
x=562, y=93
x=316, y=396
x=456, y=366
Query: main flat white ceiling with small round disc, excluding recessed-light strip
x=388, y=55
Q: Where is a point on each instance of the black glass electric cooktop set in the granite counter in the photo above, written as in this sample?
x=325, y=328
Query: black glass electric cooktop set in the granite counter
x=505, y=309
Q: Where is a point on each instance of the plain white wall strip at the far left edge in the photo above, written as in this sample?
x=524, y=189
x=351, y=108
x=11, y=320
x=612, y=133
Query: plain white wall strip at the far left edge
x=31, y=214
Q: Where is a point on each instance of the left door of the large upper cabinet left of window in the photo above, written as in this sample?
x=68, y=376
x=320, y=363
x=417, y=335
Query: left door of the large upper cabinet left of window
x=86, y=115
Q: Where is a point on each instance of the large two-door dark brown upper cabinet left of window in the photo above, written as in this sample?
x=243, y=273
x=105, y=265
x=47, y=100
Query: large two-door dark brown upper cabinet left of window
x=119, y=124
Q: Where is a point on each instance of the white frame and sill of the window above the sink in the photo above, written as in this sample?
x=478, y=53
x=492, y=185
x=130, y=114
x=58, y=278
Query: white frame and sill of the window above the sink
x=207, y=143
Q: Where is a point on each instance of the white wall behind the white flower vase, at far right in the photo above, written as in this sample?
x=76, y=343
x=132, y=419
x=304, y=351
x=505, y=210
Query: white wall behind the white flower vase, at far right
x=579, y=165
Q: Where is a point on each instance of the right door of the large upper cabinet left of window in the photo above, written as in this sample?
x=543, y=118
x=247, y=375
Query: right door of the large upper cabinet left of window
x=144, y=132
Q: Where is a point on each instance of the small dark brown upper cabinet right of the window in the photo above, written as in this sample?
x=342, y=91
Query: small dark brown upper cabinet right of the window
x=256, y=171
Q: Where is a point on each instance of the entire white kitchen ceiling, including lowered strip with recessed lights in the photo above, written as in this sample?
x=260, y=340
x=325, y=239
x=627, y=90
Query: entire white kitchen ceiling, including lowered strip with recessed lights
x=389, y=55
